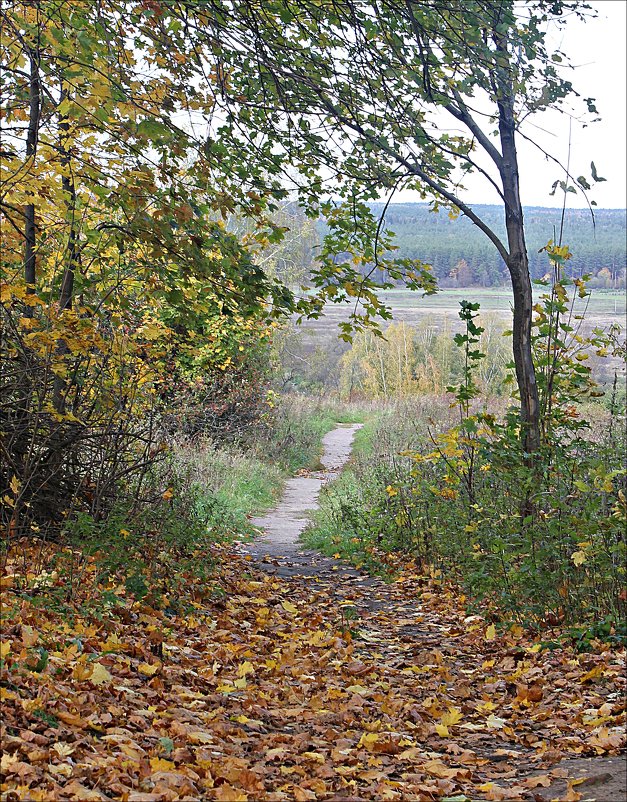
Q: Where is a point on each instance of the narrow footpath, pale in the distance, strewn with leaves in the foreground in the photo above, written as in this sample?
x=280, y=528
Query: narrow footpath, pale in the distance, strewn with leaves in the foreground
x=484, y=715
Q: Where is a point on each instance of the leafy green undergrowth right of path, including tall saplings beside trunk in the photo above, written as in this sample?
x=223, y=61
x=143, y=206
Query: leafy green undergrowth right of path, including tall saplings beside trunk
x=541, y=538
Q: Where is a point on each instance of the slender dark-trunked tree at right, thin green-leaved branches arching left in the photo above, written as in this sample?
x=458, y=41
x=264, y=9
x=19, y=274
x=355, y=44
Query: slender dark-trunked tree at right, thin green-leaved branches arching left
x=365, y=94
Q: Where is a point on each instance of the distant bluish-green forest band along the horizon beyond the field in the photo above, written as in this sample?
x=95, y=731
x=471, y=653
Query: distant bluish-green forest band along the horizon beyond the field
x=462, y=256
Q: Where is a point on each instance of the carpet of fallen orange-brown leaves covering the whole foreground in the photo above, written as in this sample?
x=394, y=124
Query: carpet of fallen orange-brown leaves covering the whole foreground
x=294, y=677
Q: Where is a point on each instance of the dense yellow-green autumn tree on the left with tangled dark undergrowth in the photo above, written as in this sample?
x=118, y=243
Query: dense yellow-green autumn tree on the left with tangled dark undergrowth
x=119, y=275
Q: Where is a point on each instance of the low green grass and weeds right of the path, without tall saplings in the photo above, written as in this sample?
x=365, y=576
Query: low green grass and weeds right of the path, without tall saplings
x=406, y=491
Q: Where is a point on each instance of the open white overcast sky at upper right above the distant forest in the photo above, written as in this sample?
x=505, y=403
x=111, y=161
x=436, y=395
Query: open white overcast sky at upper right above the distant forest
x=597, y=47
